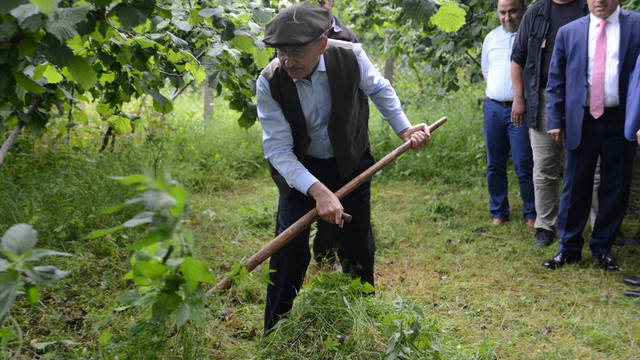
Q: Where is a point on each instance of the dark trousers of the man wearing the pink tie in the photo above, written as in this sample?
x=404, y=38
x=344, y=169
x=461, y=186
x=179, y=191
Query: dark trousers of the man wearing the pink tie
x=602, y=137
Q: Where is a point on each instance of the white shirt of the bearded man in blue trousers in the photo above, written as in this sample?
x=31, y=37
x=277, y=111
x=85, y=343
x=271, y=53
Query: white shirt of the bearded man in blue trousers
x=496, y=64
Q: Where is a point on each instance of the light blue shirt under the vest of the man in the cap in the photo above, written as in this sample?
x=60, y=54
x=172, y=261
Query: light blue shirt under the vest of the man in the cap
x=315, y=100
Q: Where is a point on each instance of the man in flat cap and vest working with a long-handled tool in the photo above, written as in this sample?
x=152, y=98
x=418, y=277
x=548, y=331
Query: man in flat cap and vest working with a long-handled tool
x=316, y=139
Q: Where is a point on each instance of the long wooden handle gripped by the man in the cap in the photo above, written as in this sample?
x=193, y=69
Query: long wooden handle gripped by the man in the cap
x=312, y=216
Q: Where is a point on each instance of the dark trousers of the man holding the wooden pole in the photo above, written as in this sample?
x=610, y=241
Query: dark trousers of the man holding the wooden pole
x=355, y=243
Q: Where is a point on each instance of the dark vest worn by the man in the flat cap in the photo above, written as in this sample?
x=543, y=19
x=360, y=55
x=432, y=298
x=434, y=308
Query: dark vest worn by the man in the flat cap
x=349, y=119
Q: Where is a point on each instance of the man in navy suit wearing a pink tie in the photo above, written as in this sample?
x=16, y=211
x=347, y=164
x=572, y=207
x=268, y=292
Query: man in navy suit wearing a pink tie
x=592, y=126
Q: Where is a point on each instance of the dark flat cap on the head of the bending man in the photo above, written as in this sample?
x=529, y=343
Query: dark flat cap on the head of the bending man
x=297, y=26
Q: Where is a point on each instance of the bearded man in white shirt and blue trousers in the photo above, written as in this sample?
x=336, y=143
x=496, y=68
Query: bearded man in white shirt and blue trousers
x=500, y=133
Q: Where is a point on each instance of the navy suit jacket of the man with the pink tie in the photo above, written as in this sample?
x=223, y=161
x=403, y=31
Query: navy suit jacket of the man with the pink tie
x=567, y=87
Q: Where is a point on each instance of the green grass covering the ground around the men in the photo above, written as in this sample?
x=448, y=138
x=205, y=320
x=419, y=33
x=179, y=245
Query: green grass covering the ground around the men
x=475, y=291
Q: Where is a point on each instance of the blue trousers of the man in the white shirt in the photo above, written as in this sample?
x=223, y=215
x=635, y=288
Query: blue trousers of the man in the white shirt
x=501, y=136
